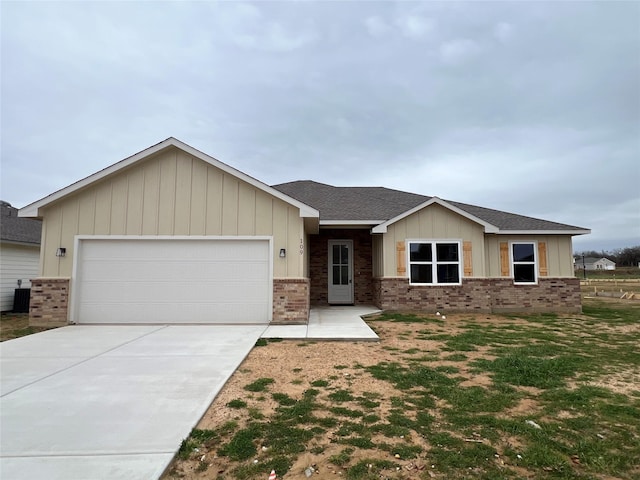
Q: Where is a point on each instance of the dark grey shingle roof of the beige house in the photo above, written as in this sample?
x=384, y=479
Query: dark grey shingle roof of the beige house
x=380, y=204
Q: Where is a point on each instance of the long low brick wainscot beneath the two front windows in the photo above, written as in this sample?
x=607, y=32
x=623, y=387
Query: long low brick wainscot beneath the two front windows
x=486, y=295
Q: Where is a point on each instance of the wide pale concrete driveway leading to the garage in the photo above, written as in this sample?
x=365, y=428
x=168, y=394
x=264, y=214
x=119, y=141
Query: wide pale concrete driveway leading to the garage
x=109, y=402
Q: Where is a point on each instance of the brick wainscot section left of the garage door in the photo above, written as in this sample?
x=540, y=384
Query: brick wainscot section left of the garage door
x=49, y=302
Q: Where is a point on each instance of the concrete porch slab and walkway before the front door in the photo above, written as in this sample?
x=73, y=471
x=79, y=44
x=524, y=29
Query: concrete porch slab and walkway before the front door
x=329, y=323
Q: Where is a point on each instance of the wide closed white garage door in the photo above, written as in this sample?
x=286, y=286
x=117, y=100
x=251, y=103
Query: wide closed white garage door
x=172, y=281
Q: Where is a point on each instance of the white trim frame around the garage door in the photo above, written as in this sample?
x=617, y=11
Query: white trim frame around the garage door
x=74, y=296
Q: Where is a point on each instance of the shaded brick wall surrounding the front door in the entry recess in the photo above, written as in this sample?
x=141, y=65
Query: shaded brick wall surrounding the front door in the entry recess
x=362, y=265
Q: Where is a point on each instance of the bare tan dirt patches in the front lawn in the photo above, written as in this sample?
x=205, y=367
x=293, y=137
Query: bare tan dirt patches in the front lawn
x=295, y=365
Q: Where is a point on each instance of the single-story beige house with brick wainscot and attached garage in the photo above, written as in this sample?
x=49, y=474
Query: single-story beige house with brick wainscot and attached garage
x=172, y=235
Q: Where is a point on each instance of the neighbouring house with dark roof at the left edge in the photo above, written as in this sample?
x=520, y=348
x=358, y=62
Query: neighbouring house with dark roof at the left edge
x=19, y=253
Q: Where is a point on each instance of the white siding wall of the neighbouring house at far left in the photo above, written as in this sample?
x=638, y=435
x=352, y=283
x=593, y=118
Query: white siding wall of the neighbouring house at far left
x=17, y=262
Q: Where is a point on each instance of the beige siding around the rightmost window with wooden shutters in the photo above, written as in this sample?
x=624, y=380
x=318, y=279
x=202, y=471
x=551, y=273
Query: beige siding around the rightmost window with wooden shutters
x=559, y=253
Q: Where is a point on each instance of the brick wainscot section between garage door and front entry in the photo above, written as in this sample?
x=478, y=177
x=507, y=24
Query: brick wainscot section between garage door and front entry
x=290, y=301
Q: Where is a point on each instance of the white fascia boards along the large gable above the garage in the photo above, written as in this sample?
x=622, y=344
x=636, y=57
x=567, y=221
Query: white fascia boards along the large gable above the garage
x=33, y=209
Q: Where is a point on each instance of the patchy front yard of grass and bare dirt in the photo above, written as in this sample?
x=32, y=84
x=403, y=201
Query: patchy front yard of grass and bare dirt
x=469, y=397
